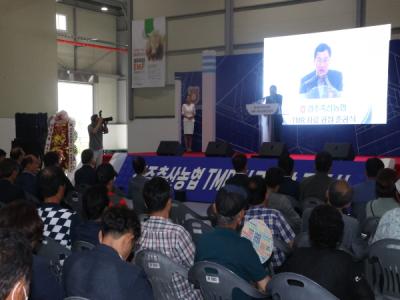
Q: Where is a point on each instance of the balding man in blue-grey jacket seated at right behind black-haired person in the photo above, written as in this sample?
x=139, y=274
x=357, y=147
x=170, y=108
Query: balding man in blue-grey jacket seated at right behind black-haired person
x=339, y=196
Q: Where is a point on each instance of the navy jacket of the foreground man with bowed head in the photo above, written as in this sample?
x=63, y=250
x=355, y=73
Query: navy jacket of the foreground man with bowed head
x=101, y=274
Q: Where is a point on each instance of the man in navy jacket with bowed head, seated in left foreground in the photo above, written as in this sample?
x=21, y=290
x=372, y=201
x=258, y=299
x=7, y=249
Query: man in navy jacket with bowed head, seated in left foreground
x=103, y=273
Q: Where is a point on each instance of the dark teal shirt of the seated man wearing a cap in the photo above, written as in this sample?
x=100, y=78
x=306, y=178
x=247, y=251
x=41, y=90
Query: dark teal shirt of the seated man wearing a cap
x=227, y=248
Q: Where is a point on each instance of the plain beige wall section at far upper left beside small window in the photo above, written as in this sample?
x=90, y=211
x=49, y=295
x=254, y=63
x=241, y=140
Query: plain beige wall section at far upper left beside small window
x=28, y=61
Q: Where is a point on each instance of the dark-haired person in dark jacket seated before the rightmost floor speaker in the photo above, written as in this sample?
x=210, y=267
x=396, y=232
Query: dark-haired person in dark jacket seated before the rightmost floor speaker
x=316, y=185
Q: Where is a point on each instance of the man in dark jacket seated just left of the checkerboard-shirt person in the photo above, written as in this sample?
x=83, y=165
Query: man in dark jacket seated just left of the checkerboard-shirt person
x=27, y=179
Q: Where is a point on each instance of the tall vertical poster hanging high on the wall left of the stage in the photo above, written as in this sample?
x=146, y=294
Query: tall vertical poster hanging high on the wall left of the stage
x=148, y=56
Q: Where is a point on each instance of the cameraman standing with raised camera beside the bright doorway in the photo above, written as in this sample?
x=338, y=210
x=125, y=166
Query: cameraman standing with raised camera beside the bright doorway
x=96, y=130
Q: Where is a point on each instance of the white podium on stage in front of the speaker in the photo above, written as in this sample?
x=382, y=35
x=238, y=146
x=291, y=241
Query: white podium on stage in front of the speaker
x=266, y=113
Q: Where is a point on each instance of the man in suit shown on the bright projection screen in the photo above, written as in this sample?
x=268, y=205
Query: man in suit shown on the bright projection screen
x=322, y=83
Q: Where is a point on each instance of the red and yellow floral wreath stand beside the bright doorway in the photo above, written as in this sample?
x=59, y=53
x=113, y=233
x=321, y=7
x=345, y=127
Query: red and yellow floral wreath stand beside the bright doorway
x=61, y=138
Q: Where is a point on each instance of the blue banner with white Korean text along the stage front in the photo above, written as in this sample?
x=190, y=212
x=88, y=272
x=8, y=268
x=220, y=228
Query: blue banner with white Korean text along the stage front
x=202, y=177
